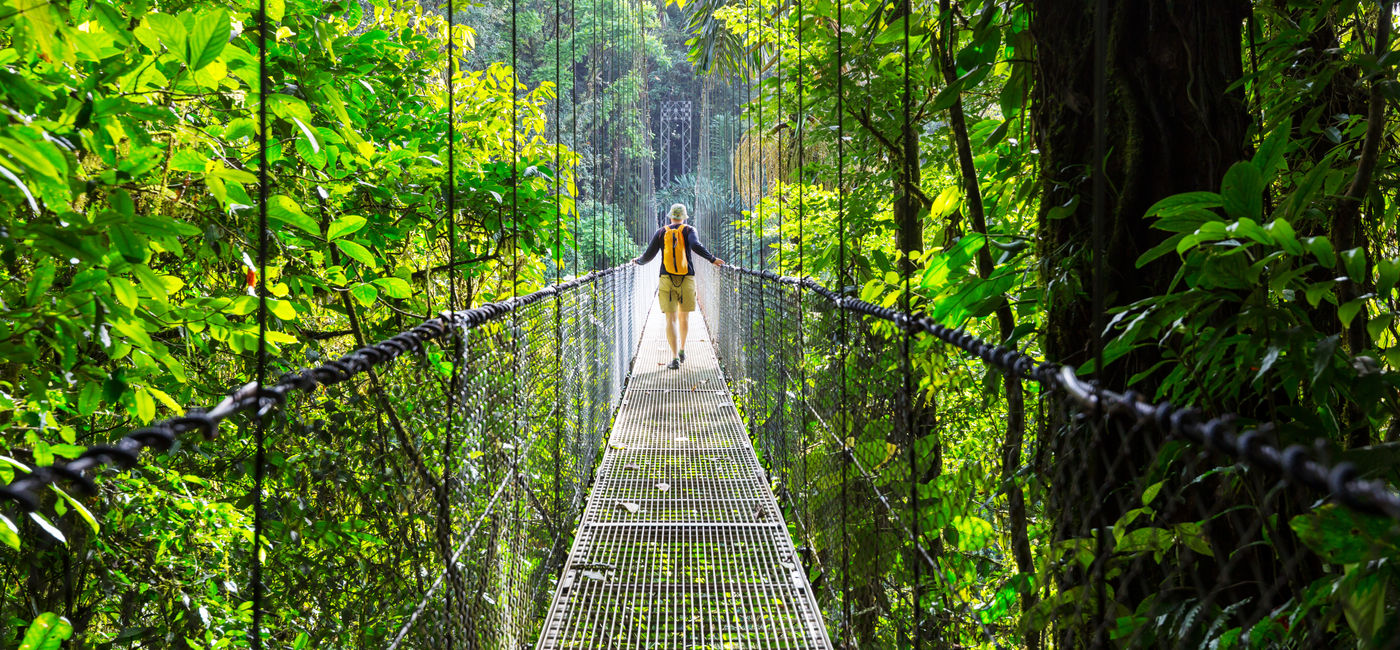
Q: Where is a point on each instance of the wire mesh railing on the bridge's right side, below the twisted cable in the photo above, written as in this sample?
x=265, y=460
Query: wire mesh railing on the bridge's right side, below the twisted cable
x=923, y=526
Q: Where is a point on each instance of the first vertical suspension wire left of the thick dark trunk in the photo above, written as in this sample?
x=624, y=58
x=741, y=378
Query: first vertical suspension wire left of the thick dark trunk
x=911, y=138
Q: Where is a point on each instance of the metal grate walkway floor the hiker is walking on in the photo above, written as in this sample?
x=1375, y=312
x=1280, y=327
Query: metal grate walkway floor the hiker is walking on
x=682, y=544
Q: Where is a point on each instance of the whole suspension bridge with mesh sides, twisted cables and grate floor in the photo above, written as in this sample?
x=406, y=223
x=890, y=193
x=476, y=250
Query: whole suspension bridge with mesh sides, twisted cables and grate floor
x=699, y=526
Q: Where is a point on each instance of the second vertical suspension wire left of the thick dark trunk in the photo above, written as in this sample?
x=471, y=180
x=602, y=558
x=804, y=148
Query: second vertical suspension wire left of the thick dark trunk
x=845, y=343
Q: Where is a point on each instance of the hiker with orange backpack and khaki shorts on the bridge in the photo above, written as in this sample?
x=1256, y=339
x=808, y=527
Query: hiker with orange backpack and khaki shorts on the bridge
x=678, y=277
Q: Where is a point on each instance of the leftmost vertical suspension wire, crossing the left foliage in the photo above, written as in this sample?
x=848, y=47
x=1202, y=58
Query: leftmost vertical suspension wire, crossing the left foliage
x=261, y=425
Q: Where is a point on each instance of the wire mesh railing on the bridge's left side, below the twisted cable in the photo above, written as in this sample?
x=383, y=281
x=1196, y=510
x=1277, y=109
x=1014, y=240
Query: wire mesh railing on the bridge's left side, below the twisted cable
x=481, y=428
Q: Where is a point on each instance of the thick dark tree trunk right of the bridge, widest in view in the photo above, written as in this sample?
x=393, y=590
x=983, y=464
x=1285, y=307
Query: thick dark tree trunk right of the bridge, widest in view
x=1172, y=125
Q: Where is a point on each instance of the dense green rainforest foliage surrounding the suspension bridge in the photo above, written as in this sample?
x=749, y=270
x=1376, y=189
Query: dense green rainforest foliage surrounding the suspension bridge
x=1195, y=201
